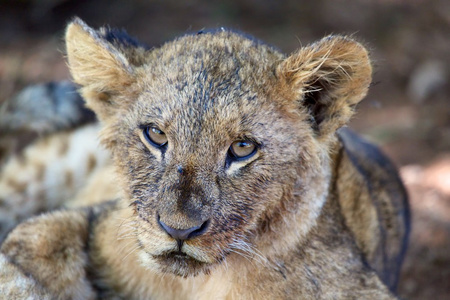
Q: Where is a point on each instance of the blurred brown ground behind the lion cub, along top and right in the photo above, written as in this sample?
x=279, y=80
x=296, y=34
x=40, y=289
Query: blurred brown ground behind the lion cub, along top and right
x=407, y=111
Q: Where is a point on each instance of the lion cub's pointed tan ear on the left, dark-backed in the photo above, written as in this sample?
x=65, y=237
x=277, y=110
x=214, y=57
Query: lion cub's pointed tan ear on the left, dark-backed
x=104, y=63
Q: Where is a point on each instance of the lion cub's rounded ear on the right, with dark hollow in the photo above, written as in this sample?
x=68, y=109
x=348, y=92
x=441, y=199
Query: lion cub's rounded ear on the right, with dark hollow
x=328, y=78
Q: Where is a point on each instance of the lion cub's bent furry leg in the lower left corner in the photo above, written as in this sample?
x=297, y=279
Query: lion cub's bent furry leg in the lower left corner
x=45, y=256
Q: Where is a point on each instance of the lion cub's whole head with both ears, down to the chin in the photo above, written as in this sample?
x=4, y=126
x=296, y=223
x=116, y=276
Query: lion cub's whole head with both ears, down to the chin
x=221, y=142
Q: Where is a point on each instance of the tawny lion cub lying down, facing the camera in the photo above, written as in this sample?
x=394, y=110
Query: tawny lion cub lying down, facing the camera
x=232, y=179
